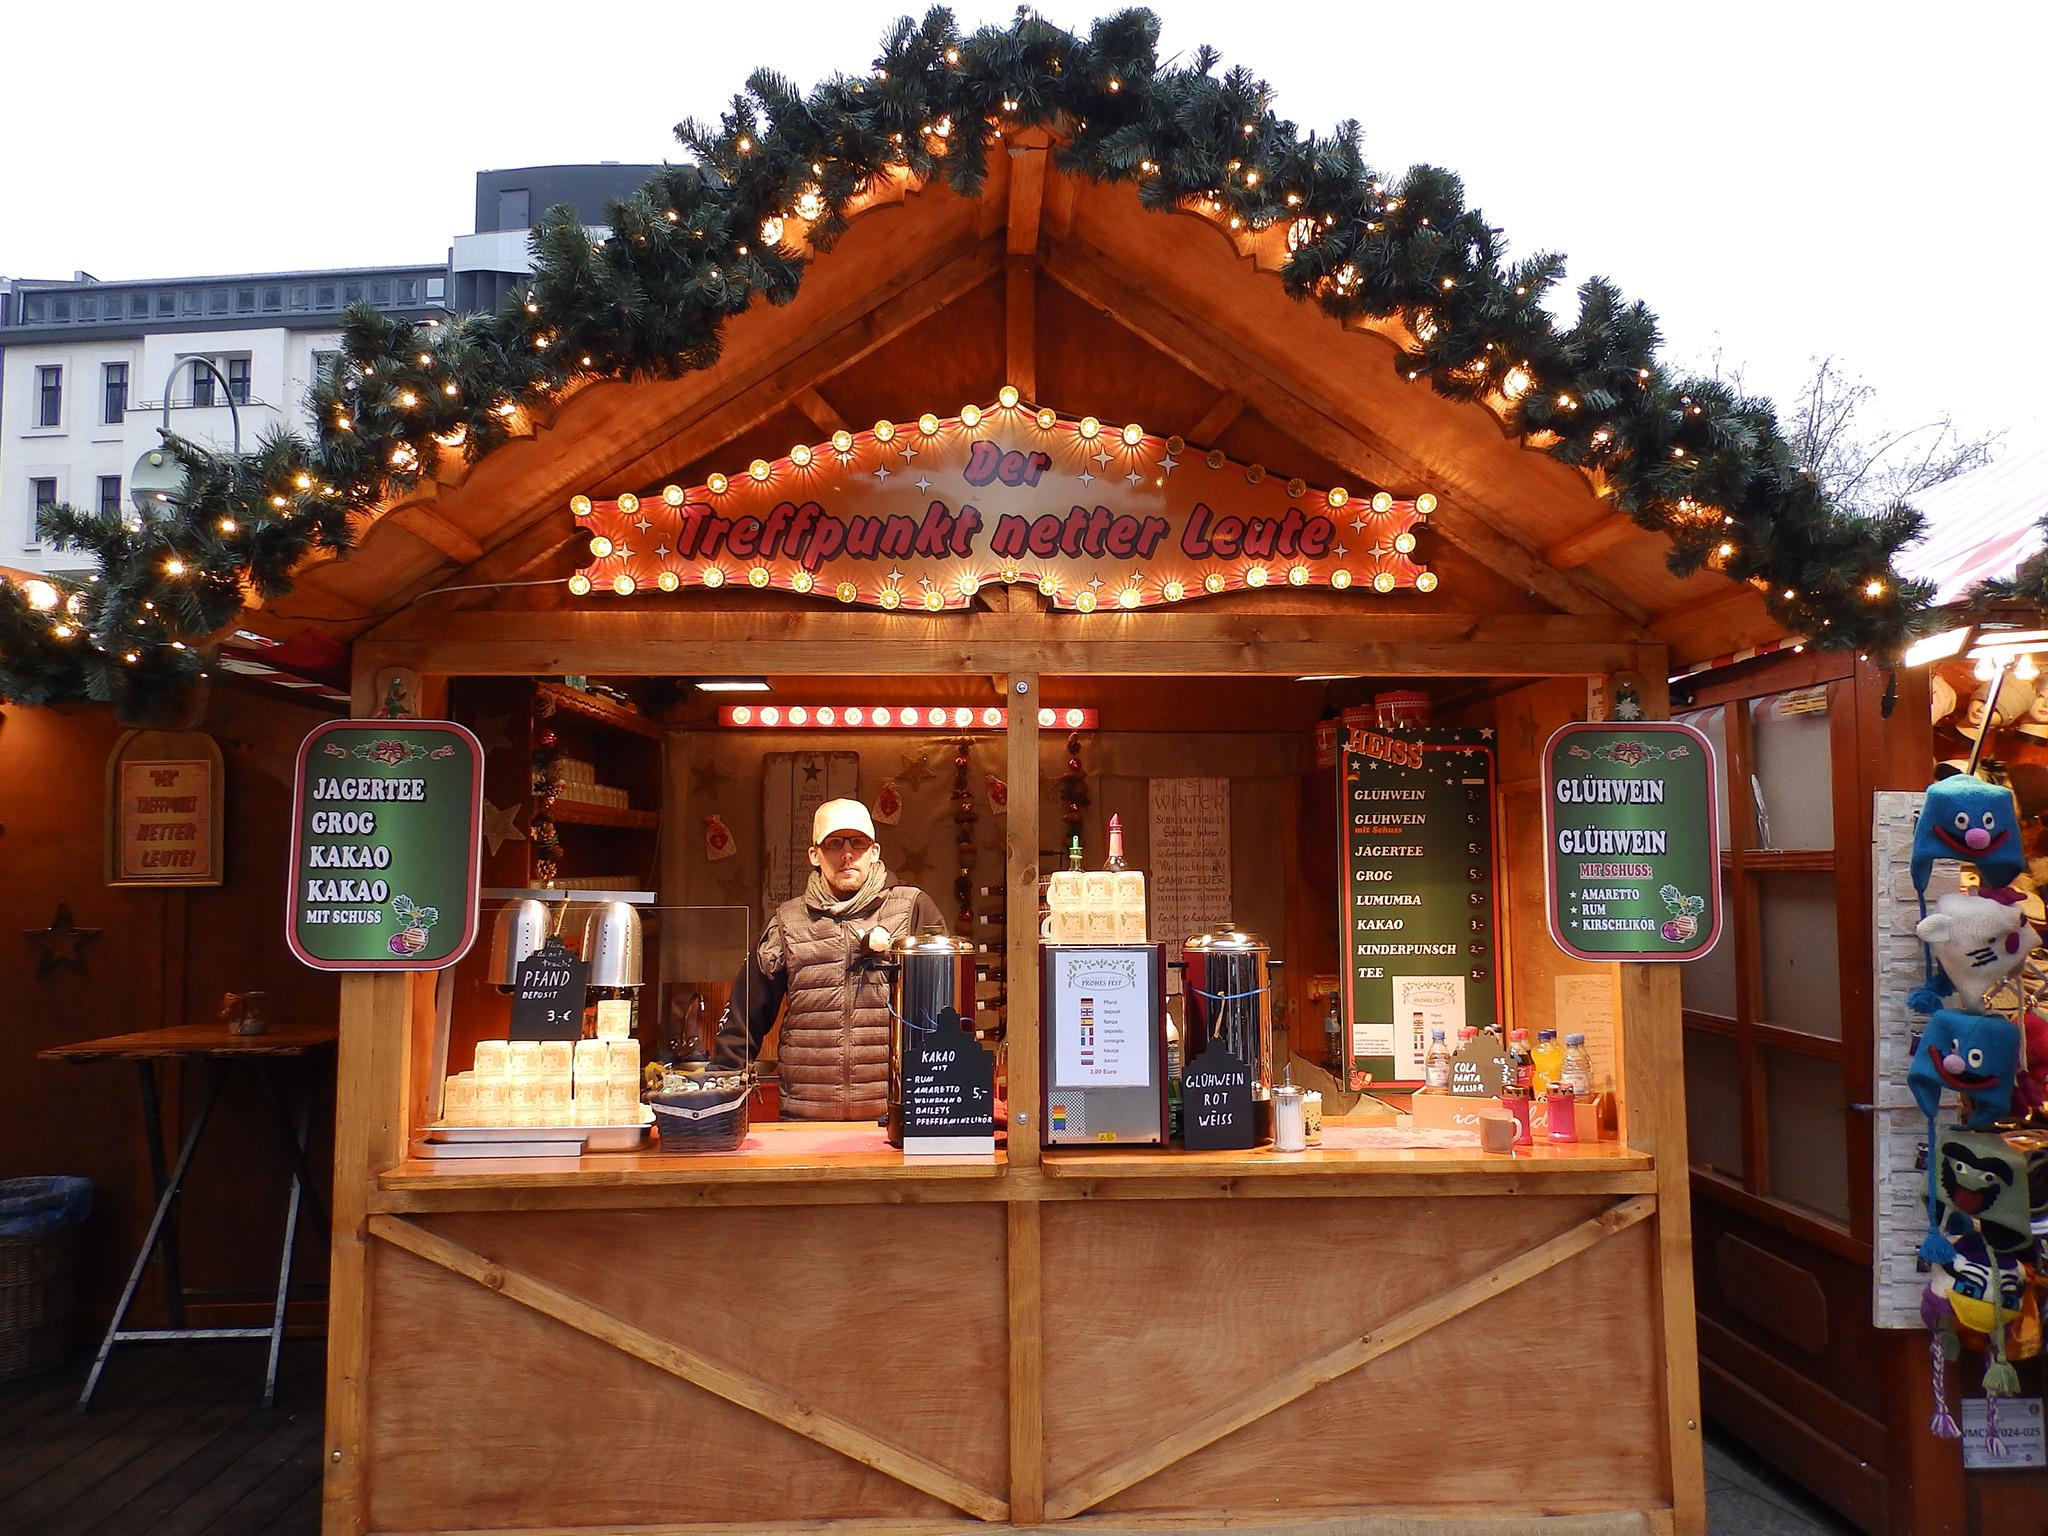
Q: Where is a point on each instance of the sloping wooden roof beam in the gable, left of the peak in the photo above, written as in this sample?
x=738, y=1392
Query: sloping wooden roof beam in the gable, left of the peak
x=740, y=402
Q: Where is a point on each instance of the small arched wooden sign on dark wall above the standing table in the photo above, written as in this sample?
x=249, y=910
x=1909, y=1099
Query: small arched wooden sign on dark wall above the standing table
x=165, y=800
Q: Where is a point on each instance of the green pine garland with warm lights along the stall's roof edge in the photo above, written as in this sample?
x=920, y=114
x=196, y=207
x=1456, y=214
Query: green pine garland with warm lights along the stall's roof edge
x=697, y=245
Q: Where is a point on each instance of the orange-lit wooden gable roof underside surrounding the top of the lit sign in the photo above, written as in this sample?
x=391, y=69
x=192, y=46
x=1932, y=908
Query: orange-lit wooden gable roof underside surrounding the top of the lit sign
x=1091, y=304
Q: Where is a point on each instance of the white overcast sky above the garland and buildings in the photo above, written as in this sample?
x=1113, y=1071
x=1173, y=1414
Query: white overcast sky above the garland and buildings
x=1777, y=181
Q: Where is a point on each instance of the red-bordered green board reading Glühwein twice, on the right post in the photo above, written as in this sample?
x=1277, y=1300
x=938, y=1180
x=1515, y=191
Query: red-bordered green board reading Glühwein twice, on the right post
x=1631, y=843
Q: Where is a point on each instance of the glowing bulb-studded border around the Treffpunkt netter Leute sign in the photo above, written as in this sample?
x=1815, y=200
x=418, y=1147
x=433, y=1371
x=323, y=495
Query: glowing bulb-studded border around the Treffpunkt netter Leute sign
x=630, y=548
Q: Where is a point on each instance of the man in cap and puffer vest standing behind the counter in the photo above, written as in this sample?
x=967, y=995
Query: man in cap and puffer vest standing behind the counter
x=822, y=957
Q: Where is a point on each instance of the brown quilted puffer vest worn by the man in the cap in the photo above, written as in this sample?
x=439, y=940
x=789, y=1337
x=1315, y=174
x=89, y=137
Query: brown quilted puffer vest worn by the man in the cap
x=835, y=1054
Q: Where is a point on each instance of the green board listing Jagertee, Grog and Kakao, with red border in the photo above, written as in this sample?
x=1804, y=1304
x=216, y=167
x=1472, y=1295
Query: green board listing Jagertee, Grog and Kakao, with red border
x=384, y=847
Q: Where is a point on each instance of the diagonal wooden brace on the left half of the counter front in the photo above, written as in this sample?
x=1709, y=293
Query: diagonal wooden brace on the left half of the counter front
x=722, y=1381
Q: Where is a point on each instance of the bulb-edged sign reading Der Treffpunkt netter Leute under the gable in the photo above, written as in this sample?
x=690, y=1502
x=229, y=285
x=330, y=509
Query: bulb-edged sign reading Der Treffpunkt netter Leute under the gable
x=923, y=515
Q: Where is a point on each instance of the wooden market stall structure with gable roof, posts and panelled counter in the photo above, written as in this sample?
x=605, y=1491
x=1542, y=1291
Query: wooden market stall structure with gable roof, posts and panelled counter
x=814, y=1336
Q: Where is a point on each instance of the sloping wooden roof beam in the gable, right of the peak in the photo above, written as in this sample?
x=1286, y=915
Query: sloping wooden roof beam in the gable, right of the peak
x=1322, y=425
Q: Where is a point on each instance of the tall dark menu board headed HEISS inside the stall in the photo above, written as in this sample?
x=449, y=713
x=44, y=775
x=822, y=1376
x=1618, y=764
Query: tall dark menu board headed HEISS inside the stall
x=1418, y=896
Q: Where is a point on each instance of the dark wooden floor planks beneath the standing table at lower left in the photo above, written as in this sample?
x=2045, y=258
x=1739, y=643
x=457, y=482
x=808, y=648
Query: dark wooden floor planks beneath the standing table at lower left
x=177, y=1445
